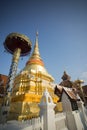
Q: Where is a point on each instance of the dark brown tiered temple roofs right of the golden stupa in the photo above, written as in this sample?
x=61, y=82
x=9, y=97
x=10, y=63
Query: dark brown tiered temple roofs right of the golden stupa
x=76, y=86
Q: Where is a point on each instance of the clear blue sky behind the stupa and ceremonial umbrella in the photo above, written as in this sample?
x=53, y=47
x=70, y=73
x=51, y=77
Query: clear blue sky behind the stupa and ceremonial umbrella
x=62, y=27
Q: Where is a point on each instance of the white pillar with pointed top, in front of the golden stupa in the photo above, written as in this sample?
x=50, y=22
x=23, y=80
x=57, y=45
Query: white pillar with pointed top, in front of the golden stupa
x=47, y=112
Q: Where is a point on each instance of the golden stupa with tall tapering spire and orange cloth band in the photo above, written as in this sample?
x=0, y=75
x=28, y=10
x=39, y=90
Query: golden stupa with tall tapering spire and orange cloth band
x=29, y=86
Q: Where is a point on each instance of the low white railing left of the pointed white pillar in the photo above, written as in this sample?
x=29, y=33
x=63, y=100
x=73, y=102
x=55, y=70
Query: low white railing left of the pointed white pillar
x=32, y=124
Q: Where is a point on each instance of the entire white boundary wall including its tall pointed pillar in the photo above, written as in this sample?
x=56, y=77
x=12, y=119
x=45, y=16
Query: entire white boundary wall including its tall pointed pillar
x=48, y=120
